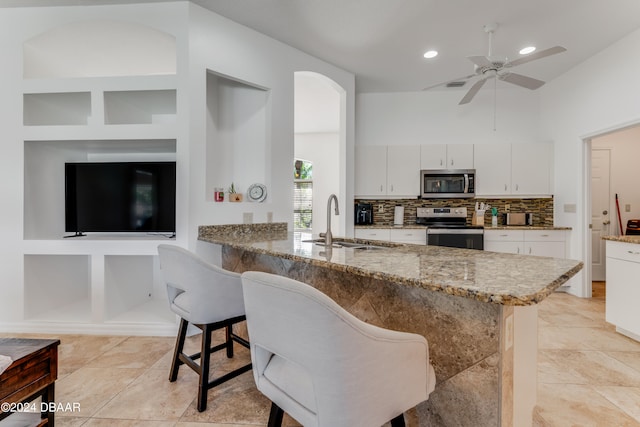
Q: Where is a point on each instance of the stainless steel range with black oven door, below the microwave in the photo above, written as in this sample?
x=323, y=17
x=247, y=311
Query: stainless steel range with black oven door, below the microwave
x=448, y=227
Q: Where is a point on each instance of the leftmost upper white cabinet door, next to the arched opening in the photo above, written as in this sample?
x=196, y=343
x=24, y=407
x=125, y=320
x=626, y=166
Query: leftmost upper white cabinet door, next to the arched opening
x=371, y=171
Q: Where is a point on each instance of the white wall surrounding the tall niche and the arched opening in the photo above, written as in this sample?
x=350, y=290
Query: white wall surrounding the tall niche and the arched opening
x=226, y=48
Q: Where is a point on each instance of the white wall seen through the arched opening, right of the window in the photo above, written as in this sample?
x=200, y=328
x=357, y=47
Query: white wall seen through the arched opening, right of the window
x=322, y=149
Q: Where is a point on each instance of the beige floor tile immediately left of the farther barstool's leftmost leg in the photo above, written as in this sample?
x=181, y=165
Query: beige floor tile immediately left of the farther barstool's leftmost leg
x=134, y=352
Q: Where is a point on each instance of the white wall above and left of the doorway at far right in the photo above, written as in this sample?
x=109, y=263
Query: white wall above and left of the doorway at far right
x=594, y=98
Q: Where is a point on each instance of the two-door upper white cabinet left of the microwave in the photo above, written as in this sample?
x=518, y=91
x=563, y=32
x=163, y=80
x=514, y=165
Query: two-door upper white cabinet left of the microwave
x=387, y=171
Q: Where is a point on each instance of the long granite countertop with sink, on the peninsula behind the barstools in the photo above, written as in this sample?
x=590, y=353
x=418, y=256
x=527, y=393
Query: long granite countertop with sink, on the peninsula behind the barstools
x=498, y=278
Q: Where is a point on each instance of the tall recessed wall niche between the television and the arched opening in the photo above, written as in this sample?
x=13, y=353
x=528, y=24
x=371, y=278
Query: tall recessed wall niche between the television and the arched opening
x=238, y=142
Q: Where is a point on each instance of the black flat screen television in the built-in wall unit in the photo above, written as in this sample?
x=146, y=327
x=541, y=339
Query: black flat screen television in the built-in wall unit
x=120, y=197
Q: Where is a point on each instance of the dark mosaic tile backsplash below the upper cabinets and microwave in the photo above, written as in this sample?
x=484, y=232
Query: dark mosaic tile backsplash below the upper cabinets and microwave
x=542, y=209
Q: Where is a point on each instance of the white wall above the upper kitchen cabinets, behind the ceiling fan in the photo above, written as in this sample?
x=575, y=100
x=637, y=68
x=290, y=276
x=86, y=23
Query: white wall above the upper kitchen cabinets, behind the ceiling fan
x=414, y=118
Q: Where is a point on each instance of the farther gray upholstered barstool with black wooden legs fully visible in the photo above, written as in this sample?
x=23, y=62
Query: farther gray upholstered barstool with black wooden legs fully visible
x=207, y=297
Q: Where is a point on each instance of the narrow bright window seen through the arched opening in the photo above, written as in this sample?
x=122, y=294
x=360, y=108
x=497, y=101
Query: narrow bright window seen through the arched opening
x=302, y=195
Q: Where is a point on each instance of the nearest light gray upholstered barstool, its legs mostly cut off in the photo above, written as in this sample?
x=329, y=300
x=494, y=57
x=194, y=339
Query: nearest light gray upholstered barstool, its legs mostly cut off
x=323, y=366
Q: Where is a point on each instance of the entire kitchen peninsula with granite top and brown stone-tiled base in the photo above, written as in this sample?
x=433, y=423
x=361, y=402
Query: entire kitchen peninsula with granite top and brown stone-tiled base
x=477, y=309
